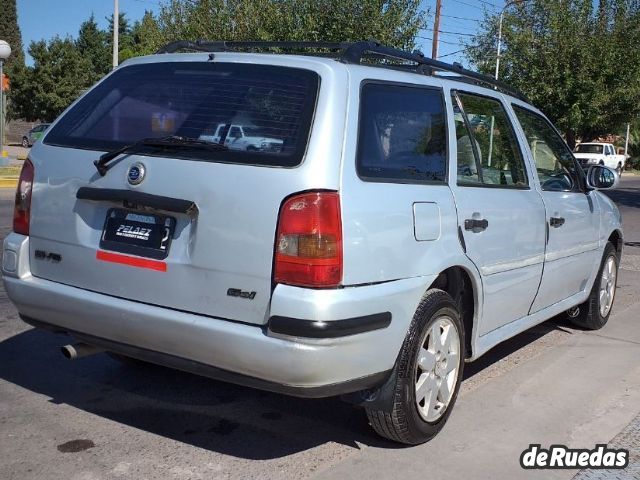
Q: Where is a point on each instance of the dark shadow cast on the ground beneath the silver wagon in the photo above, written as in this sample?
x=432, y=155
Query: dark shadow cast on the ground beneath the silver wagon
x=208, y=414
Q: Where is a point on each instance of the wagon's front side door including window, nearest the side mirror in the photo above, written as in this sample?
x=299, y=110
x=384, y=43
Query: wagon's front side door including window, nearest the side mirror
x=572, y=215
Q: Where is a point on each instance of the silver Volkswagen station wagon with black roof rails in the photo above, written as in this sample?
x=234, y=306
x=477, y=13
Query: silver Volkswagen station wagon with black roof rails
x=406, y=216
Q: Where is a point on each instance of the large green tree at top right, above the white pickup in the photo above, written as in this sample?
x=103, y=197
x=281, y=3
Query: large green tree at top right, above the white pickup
x=572, y=60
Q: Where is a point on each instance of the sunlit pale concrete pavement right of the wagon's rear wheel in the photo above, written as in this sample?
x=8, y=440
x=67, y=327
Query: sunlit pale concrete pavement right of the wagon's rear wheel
x=580, y=393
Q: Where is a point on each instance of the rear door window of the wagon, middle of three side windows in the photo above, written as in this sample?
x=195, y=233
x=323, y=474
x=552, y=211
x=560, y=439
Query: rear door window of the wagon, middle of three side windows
x=488, y=149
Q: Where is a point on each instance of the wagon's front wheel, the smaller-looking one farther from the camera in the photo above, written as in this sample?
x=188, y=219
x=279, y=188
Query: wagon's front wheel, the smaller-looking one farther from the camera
x=594, y=314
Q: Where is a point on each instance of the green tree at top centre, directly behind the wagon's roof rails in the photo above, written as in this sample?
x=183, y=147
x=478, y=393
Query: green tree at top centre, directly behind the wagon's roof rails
x=393, y=22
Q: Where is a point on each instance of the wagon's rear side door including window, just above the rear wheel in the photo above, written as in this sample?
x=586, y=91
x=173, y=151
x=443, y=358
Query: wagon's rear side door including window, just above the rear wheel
x=501, y=217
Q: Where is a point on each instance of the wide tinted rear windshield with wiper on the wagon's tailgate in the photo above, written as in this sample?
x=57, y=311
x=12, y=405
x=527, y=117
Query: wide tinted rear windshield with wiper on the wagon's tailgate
x=261, y=113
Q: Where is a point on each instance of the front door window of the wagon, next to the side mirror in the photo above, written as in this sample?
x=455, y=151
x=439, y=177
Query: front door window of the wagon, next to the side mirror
x=554, y=161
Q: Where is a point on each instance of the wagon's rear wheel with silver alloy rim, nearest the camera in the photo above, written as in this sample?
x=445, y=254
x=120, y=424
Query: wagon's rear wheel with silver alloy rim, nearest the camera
x=432, y=357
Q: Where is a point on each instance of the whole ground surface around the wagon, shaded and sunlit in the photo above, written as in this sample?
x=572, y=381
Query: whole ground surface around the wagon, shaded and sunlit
x=99, y=419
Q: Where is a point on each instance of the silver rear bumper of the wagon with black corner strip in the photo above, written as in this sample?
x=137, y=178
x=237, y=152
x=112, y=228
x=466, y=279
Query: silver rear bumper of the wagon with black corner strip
x=253, y=355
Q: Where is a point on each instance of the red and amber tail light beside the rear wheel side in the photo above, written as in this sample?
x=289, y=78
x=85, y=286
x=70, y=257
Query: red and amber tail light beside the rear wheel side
x=308, y=250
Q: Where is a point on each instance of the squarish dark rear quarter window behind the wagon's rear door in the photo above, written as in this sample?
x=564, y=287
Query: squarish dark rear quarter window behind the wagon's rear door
x=402, y=134
